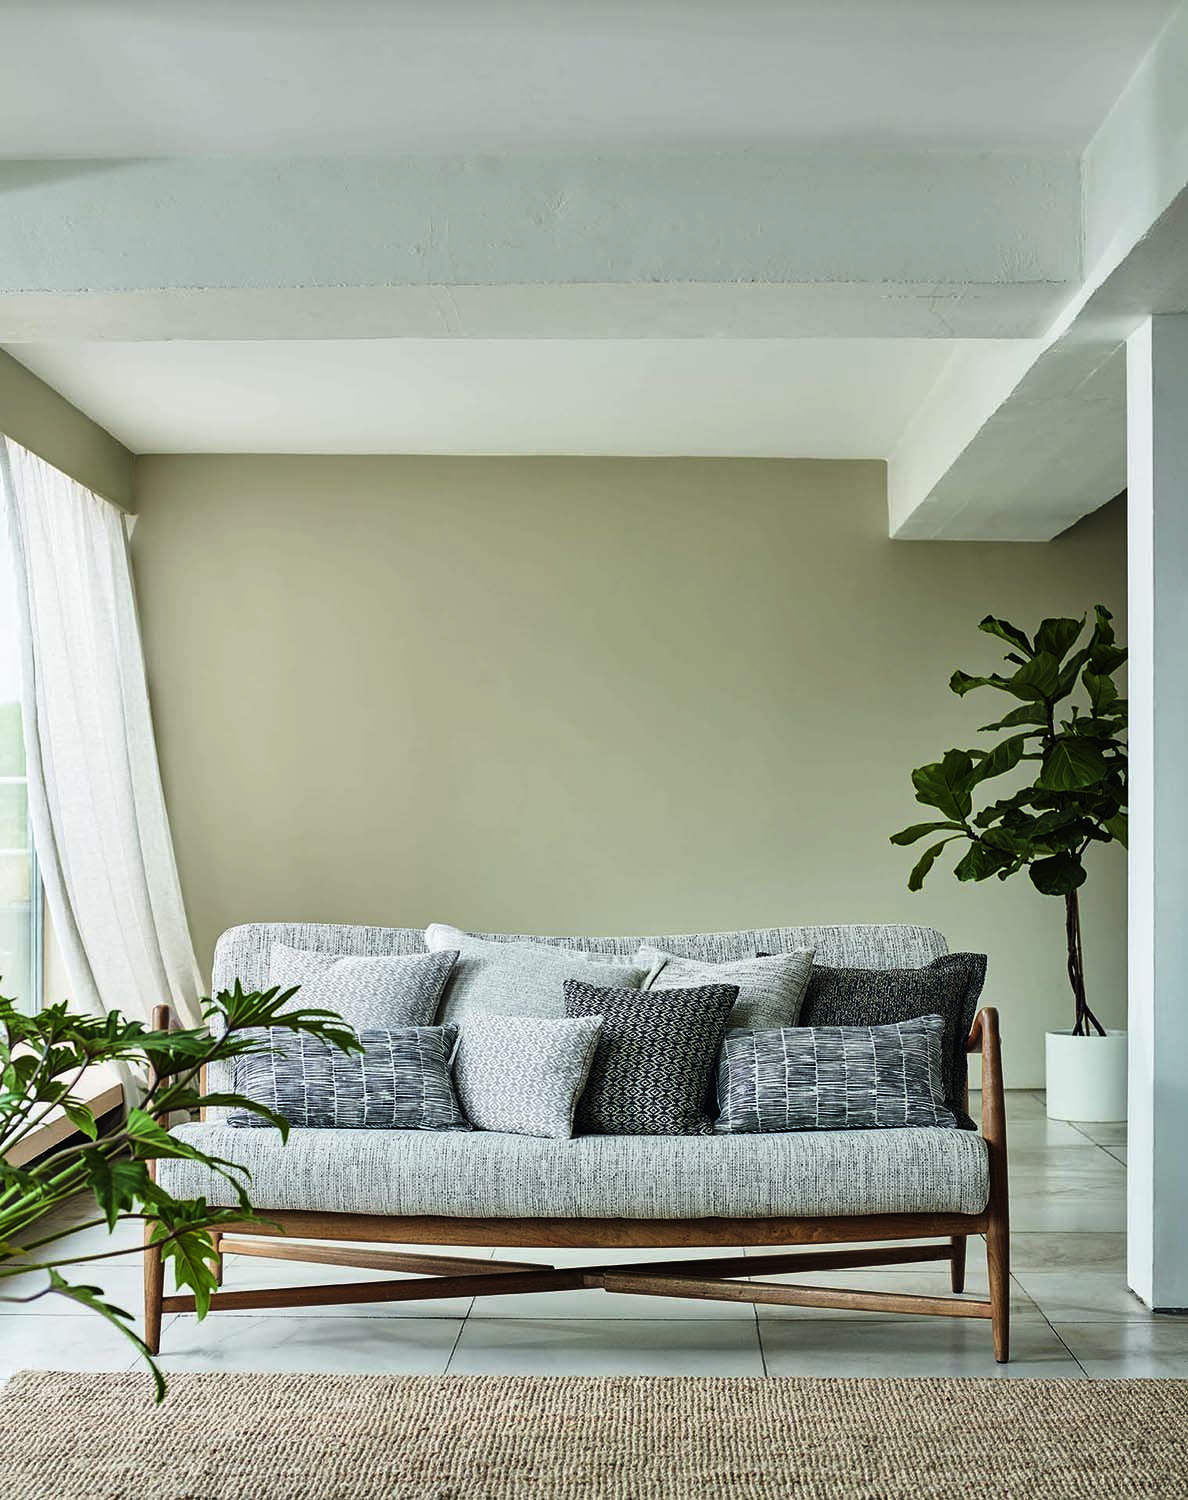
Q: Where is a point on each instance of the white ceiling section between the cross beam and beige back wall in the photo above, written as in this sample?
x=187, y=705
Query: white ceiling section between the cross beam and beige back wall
x=805, y=398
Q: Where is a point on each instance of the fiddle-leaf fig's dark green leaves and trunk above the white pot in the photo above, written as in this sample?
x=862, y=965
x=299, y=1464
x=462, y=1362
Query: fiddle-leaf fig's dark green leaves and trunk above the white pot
x=1075, y=799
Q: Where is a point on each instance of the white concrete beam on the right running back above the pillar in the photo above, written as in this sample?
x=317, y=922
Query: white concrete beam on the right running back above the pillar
x=1021, y=446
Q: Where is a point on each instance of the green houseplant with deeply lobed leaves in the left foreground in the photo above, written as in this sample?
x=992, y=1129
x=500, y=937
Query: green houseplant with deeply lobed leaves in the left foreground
x=43, y=1060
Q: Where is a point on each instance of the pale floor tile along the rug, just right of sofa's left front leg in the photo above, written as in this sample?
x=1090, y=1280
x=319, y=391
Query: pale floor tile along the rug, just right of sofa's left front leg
x=331, y=1345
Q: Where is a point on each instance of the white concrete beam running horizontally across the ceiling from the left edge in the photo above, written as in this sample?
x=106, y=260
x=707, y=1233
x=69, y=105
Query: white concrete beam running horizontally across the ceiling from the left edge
x=628, y=245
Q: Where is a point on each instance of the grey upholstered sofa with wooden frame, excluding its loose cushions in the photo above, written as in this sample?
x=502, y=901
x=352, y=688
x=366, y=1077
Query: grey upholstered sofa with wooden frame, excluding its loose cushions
x=820, y=1199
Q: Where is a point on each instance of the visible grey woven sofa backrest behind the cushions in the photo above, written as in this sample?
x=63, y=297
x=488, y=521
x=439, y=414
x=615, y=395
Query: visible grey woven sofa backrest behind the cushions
x=242, y=953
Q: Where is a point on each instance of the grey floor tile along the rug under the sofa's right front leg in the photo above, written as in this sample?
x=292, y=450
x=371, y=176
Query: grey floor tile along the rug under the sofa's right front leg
x=910, y=1346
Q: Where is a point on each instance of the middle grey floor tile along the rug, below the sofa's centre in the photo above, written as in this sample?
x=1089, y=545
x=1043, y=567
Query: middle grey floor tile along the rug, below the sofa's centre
x=608, y=1348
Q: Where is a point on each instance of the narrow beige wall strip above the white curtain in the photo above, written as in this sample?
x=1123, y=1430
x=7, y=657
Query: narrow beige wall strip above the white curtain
x=46, y=424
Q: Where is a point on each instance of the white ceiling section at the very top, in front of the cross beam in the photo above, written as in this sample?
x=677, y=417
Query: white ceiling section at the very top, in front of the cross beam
x=386, y=77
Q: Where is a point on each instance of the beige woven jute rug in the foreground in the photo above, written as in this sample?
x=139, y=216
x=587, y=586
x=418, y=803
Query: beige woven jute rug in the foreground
x=473, y=1438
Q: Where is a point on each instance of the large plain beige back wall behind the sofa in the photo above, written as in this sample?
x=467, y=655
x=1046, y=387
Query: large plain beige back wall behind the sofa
x=587, y=695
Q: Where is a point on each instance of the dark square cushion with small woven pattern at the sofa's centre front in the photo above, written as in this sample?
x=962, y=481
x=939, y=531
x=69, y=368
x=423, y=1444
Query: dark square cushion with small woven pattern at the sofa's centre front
x=655, y=1058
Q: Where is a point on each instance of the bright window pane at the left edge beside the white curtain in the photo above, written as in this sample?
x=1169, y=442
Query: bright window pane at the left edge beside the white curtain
x=20, y=889
